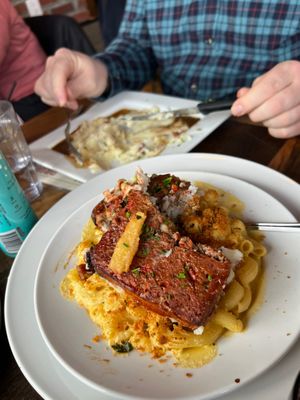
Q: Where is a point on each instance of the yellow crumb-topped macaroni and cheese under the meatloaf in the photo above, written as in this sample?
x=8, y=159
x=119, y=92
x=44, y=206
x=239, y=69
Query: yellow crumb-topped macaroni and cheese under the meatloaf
x=122, y=320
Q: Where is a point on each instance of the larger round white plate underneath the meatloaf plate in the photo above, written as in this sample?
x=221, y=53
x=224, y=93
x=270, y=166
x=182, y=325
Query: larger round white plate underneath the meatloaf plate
x=47, y=375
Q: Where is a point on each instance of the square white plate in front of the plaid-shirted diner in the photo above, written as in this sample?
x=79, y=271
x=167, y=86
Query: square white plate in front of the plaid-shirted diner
x=42, y=149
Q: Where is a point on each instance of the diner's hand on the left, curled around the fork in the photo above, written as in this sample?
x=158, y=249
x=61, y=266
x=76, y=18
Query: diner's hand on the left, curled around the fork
x=70, y=75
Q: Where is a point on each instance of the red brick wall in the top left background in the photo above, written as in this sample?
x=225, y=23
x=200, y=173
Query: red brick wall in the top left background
x=81, y=10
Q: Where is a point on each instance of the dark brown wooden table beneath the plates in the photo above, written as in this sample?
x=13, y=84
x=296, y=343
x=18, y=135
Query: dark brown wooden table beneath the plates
x=235, y=137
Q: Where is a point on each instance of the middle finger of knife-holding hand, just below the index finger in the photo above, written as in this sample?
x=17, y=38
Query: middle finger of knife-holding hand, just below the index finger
x=287, y=99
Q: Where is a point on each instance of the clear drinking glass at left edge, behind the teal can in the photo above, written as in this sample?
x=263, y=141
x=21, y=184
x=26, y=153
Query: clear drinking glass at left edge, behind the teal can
x=16, y=151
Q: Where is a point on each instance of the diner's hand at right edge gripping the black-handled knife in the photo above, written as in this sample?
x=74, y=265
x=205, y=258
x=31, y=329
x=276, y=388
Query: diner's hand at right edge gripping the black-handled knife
x=273, y=100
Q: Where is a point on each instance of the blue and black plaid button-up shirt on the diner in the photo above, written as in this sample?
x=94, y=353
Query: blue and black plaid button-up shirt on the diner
x=203, y=49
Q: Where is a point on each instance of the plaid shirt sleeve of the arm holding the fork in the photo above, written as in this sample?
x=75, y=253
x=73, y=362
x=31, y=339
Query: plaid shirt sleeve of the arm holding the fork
x=129, y=58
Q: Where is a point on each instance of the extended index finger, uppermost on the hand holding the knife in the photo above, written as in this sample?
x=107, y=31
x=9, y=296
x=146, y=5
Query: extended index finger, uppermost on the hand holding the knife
x=273, y=82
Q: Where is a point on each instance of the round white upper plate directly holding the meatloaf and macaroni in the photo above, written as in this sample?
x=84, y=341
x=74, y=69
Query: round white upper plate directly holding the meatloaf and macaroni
x=270, y=332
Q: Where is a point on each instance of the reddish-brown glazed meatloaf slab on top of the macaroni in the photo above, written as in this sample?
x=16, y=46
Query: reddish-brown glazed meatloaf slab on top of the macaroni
x=169, y=274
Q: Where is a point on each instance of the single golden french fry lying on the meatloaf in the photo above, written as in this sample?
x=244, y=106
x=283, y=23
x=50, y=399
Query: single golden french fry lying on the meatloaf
x=128, y=244
